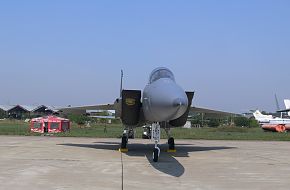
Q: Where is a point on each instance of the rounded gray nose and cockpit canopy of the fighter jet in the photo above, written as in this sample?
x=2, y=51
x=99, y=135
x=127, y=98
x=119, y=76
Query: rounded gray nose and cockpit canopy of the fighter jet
x=163, y=99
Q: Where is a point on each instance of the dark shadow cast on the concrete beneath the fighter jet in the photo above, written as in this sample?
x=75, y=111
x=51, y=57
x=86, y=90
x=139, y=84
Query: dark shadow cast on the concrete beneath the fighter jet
x=167, y=163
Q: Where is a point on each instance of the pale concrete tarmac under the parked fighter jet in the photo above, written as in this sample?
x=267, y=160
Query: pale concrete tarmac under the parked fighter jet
x=54, y=163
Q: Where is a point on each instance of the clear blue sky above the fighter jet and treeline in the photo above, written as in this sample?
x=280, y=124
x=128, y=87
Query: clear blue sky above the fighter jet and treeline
x=234, y=54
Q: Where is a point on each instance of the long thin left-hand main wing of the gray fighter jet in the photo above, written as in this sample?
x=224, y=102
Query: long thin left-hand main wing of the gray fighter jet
x=83, y=109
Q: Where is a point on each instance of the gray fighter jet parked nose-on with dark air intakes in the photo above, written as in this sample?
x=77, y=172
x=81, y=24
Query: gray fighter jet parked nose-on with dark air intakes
x=163, y=104
